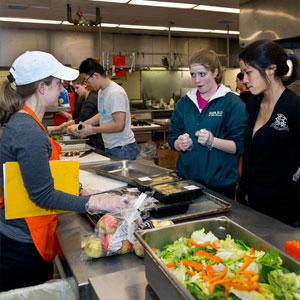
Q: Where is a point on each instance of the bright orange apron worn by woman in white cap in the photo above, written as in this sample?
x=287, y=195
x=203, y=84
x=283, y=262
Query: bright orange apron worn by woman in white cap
x=42, y=228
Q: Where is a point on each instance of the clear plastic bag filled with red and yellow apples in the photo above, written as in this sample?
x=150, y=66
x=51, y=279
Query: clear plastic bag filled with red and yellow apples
x=114, y=233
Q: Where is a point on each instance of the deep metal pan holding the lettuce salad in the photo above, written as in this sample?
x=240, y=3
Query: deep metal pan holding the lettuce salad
x=162, y=280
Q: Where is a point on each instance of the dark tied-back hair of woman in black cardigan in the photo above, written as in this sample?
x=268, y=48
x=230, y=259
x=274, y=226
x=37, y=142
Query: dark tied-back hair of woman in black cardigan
x=263, y=53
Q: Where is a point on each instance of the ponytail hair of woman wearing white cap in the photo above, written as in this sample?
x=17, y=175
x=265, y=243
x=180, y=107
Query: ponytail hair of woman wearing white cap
x=12, y=100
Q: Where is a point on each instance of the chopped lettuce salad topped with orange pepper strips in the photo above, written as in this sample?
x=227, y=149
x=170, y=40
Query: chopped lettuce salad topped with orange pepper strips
x=228, y=269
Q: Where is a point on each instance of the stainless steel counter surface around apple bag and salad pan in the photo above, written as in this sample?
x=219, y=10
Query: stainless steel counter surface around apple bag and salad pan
x=122, y=276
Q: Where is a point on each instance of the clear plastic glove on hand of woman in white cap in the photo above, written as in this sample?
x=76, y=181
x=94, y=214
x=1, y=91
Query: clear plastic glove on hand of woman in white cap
x=103, y=203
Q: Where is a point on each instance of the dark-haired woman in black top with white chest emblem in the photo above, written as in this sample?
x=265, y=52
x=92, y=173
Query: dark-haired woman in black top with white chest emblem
x=270, y=175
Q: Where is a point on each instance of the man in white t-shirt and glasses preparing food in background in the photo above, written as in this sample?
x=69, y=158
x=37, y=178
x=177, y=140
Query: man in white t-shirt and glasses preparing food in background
x=113, y=120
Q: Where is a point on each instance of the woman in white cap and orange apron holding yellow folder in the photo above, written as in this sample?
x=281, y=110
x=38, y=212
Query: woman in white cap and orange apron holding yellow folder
x=28, y=245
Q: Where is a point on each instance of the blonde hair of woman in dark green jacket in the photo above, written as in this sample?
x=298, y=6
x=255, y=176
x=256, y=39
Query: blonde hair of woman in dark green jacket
x=209, y=59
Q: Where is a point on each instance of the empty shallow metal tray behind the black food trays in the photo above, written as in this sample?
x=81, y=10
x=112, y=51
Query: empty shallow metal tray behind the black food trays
x=128, y=171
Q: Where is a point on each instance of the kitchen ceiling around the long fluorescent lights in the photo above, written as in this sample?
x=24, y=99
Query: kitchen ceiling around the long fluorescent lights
x=122, y=14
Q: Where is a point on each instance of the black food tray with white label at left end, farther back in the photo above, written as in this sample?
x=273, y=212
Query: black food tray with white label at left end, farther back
x=146, y=183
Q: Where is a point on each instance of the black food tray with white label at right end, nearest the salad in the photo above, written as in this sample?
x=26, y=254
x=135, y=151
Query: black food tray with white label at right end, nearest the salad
x=179, y=191
